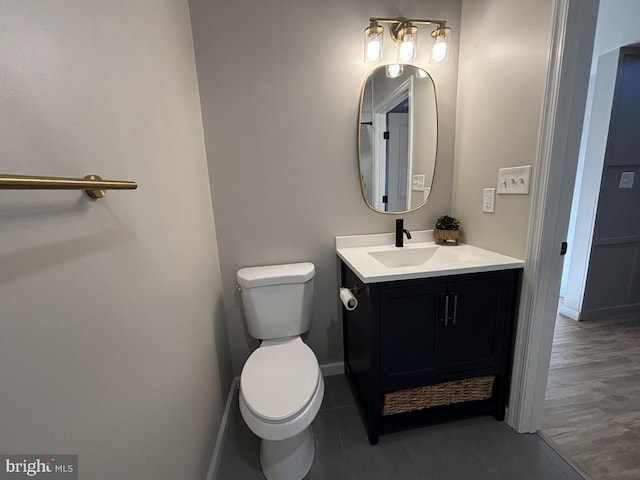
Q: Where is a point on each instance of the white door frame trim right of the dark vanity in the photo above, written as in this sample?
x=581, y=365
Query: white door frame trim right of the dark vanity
x=571, y=47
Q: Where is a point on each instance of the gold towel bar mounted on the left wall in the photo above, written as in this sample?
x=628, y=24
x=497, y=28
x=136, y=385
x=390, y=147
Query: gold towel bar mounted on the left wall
x=93, y=185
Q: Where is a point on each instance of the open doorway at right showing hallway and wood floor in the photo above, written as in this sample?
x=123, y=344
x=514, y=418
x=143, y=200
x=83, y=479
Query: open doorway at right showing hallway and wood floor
x=592, y=416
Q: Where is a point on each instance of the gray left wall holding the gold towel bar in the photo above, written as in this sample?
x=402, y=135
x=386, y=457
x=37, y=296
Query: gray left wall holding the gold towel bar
x=112, y=336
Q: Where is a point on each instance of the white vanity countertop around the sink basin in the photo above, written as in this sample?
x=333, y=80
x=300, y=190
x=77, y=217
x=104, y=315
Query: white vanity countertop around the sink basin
x=448, y=259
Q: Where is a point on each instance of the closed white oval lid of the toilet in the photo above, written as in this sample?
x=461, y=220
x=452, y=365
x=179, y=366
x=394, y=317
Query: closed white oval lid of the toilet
x=278, y=380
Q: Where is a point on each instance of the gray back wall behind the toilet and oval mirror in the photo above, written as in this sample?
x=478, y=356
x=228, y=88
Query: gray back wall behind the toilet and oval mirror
x=280, y=108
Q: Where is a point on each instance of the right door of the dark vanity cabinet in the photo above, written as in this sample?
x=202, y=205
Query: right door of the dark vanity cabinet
x=474, y=333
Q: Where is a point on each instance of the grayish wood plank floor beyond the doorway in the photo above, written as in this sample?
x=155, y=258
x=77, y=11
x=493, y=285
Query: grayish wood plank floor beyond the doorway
x=592, y=408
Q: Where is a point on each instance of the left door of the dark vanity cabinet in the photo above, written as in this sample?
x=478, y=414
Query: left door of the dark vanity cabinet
x=408, y=322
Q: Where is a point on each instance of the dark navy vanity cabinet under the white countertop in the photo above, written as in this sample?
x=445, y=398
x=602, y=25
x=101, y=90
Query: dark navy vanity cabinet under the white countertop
x=425, y=338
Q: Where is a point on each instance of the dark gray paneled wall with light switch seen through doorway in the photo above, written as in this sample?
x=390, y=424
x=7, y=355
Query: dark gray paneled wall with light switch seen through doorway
x=613, y=278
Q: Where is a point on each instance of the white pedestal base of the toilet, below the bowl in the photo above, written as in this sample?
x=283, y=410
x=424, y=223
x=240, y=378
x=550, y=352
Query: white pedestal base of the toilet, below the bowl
x=289, y=459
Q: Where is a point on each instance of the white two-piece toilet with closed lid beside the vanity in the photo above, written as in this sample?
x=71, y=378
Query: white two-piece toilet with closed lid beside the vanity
x=281, y=385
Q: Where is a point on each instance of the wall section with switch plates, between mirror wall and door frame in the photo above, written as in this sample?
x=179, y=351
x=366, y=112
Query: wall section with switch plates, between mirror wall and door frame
x=502, y=76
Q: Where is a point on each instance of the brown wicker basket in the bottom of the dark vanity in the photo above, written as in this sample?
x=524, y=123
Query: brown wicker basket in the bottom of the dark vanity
x=467, y=390
